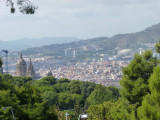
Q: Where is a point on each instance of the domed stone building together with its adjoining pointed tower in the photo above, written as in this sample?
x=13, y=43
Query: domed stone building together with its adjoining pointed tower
x=21, y=68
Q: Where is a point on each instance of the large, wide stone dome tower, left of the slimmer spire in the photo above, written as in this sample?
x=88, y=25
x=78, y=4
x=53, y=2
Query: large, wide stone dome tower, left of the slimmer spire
x=21, y=67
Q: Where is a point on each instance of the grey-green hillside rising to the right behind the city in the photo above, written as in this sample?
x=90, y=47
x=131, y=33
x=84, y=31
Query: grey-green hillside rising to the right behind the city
x=101, y=44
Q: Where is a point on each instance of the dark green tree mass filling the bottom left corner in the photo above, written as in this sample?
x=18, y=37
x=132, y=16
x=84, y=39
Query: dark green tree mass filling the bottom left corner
x=24, y=98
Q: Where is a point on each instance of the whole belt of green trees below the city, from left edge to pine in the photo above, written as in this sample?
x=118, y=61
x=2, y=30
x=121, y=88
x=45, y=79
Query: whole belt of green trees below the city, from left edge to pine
x=46, y=98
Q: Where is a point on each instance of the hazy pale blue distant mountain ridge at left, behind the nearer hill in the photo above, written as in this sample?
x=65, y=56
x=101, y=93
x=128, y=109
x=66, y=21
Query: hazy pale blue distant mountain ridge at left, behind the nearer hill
x=34, y=42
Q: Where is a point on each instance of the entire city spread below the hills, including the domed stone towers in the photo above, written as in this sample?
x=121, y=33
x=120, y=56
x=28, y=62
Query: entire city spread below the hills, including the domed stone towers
x=104, y=69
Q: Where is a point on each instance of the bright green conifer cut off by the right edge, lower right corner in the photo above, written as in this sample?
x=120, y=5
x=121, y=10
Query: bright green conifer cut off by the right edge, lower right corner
x=150, y=109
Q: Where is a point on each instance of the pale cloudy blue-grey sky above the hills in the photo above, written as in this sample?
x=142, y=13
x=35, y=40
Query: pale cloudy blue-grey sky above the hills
x=79, y=18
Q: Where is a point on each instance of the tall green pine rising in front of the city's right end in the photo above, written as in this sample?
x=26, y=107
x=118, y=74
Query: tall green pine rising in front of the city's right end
x=135, y=77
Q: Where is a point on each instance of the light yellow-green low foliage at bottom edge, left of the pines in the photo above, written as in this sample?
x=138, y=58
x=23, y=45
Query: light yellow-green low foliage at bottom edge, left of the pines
x=112, y=110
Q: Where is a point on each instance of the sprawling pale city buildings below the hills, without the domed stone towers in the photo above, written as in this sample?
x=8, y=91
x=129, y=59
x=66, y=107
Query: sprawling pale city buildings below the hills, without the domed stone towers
x=106, y=70
